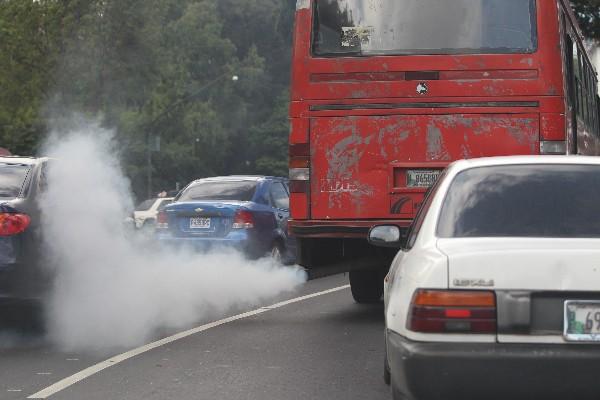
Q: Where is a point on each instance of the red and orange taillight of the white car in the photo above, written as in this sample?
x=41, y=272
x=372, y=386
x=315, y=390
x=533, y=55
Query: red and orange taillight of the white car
x=448, y=311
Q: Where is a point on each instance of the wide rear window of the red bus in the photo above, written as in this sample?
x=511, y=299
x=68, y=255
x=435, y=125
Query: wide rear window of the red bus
x=403, y=27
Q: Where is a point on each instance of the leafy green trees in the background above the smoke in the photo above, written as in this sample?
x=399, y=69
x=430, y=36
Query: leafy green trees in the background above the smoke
x=159, y=69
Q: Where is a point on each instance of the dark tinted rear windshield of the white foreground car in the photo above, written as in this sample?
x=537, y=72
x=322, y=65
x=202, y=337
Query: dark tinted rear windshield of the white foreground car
x=523, y=201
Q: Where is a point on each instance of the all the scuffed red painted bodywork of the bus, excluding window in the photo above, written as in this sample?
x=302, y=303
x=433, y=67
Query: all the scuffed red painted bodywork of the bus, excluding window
x=366, y=122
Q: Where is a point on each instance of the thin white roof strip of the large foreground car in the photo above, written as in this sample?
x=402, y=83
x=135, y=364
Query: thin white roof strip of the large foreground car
x=530, y=160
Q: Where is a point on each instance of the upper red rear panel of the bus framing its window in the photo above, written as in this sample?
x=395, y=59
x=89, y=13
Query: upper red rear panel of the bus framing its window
x=538, y=73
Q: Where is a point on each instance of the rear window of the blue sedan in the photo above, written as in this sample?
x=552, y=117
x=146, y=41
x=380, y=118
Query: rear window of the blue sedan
x=219, y=190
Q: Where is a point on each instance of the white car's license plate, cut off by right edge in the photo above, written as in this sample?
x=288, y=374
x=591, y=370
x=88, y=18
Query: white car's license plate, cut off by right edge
x=582, y=321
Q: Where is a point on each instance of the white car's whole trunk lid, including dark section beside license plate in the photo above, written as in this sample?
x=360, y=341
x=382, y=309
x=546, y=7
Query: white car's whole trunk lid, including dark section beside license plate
x=532, y=279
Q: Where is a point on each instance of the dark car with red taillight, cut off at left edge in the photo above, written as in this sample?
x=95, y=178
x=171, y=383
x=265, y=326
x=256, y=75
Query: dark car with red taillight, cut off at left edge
x=21, y=182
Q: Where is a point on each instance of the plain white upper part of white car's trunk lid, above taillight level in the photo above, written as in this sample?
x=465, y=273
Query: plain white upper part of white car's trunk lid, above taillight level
x=523, y=264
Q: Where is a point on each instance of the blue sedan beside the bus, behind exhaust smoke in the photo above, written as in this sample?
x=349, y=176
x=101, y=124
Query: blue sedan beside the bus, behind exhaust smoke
x=249, y=213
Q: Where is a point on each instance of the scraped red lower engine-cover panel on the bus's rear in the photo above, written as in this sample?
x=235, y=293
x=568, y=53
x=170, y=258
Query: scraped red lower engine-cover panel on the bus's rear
x=360, y=164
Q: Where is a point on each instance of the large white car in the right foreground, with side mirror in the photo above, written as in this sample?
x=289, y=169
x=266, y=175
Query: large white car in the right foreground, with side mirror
x=496, y=293
